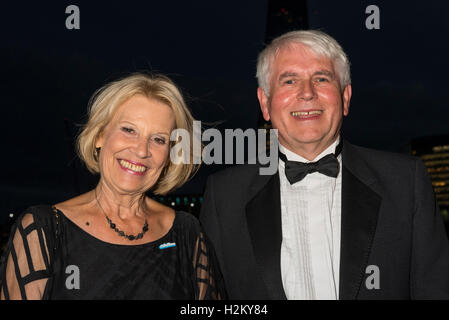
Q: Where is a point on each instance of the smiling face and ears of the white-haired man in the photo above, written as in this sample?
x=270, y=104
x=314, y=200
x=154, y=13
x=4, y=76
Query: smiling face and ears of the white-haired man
x=305, y=103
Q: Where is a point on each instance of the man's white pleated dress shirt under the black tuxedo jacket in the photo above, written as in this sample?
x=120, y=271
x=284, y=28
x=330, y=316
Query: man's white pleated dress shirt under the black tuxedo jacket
x=311, y=223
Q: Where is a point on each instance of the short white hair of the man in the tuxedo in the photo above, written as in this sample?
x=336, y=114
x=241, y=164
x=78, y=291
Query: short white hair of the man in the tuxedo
x=317, y=41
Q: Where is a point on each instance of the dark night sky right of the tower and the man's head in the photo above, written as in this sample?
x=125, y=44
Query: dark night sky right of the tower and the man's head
x=399, y=72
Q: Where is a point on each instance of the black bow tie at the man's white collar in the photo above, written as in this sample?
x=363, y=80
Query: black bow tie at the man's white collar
x=296, y=171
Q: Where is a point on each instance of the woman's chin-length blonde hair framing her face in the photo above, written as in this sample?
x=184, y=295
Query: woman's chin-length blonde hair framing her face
x=105, y=102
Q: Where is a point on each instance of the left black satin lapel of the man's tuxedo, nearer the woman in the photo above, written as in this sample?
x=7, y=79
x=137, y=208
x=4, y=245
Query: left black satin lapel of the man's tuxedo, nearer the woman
x=263, y=215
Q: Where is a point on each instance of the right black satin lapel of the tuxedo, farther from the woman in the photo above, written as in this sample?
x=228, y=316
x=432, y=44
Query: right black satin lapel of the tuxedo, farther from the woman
x=360, y=207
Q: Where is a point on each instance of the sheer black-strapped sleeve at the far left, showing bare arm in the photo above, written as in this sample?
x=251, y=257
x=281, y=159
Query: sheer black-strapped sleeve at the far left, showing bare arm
x=24, y=269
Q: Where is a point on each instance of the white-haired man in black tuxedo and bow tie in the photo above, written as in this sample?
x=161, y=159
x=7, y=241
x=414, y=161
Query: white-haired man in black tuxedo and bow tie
x=359, y=224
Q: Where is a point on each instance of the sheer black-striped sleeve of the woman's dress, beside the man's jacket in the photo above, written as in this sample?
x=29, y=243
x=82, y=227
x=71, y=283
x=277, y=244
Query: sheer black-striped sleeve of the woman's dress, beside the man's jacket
x=209, y=280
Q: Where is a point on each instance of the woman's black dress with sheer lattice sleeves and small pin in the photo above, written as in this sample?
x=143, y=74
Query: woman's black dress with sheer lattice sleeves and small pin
x=46, y=246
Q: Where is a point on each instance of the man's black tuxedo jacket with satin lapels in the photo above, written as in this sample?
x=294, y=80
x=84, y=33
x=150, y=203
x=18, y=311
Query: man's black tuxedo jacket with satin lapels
x=389, y=219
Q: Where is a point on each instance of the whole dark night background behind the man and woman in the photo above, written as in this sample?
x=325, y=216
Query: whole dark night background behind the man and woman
x=209, y=48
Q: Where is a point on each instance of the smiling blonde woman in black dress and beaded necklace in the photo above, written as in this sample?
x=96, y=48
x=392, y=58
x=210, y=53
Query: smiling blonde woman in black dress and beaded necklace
x=115, y=242
